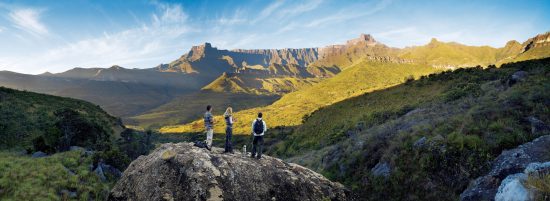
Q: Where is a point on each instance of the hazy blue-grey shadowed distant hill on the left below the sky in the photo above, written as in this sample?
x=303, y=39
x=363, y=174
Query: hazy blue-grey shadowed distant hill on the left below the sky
x=122, y=92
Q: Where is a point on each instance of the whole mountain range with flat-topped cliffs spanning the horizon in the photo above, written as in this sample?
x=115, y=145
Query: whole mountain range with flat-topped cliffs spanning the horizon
x=208, y=73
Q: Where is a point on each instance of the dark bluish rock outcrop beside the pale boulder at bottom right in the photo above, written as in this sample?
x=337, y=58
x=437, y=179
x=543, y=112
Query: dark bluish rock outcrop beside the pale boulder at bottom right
x=508, y=163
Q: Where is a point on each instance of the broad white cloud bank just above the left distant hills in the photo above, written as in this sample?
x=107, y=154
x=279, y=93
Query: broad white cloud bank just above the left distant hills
x=144, y=46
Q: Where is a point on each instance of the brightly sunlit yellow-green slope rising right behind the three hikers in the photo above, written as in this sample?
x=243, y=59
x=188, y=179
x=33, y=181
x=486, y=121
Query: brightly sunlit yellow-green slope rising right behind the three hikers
x=366, y=76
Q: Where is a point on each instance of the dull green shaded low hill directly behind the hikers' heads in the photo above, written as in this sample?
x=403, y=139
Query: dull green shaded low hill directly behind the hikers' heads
x=187, y=108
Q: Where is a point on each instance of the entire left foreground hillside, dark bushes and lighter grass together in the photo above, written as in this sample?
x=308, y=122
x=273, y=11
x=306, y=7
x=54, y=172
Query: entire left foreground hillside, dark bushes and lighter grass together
x=76, y=137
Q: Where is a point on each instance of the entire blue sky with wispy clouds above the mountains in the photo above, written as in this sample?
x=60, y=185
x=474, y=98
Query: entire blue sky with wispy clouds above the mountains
x=39, y=36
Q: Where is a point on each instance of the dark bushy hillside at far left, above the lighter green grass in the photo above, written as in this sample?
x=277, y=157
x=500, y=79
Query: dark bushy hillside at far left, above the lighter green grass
x=26, y=116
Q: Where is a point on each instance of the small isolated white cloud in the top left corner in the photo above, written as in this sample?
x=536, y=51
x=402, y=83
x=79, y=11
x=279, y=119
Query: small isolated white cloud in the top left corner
x=28, y=20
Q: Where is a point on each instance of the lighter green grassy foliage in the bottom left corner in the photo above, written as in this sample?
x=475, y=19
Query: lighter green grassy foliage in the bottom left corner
x=25, y=178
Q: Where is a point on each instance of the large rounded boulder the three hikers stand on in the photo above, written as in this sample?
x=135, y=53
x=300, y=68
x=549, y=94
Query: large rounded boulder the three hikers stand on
x=185, y=172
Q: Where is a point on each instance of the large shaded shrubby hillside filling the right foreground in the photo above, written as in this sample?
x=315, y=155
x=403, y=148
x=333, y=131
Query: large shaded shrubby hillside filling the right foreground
x=465, y=118
